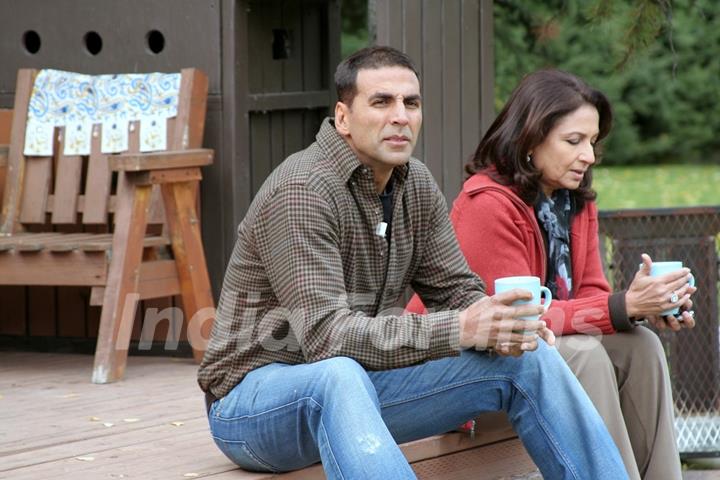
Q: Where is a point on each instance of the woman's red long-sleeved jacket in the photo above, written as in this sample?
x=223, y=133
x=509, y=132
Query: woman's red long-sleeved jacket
x=500, y=237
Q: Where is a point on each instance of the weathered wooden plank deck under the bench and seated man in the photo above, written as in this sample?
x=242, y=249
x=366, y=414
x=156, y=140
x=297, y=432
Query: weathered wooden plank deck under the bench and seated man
x=55, y=424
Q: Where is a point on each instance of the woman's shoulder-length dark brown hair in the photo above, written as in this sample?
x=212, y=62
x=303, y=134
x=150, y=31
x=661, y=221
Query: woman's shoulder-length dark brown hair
x=536, y=105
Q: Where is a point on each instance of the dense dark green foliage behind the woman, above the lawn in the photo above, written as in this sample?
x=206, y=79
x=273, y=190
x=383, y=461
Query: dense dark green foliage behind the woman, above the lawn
x=659, y=65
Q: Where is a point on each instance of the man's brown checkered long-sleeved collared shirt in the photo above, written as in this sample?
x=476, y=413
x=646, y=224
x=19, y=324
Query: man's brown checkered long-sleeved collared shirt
x=309, y=278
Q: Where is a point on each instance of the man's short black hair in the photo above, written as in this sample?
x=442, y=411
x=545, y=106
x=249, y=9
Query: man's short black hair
x=367, y=58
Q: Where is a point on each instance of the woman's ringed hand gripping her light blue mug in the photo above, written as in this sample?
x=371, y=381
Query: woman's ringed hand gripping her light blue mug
x=648, y=296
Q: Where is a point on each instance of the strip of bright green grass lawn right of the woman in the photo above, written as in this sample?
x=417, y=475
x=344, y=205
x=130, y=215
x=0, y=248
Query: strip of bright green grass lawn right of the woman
x=657, y=186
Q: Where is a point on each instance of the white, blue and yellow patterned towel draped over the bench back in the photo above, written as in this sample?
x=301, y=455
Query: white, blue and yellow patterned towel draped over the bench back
x=88, y=105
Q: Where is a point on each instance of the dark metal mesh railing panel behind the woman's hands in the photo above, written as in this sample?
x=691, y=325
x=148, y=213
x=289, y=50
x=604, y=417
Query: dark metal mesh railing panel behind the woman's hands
x=690, y=235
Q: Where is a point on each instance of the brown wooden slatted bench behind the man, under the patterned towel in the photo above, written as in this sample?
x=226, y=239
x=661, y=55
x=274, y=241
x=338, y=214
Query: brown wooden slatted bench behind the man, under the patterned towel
x=123, y=224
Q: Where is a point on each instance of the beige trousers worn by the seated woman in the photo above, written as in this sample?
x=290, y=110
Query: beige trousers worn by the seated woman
x=626, y=377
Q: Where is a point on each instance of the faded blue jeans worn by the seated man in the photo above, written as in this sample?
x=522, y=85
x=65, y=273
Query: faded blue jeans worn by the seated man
x=285, y=417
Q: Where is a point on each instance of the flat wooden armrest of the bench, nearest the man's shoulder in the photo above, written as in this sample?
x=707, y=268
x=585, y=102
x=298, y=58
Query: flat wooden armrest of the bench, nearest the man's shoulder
x=137, y=162
